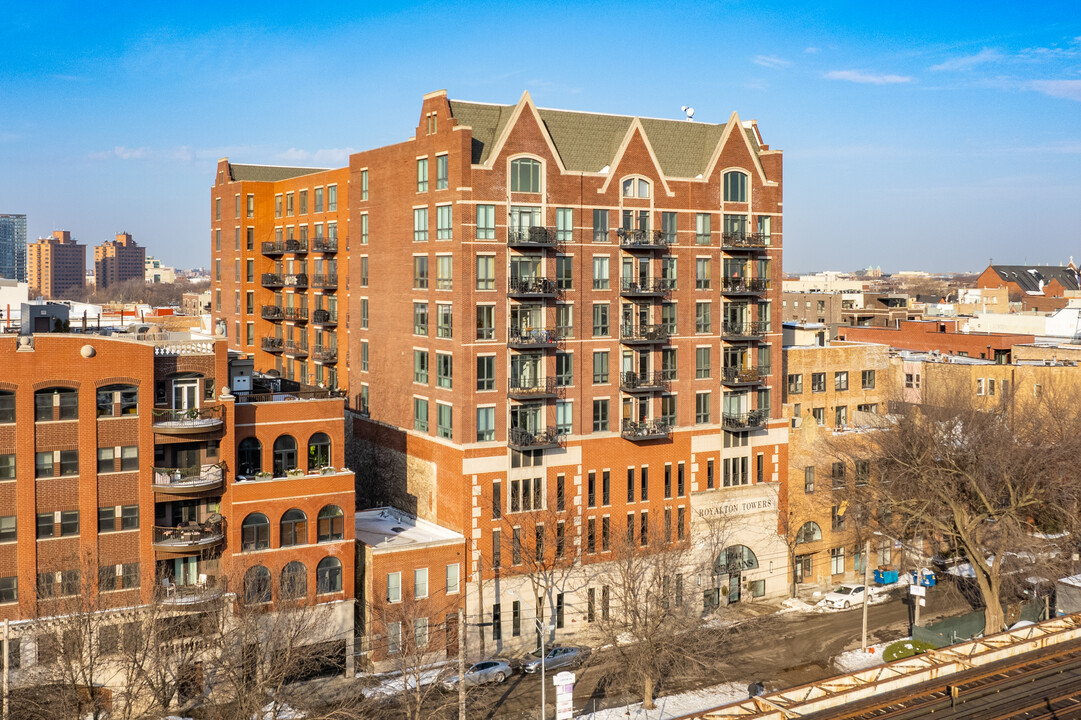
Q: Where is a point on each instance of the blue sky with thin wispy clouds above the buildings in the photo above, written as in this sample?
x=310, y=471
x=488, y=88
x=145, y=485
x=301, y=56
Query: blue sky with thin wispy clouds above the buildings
x=923, y=138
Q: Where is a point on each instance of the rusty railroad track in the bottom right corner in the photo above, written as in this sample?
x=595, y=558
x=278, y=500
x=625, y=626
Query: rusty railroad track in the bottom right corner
x=1046, y=685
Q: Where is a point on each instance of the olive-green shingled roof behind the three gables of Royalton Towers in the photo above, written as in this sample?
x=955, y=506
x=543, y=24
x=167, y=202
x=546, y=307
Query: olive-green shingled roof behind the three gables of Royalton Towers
x=588, y=142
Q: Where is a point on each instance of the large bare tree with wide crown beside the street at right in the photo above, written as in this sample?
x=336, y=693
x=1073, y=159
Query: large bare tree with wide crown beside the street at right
x=992, y=482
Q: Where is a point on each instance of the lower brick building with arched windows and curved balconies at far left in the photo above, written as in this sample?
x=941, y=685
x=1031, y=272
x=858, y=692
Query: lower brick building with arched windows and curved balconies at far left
x=130, y=472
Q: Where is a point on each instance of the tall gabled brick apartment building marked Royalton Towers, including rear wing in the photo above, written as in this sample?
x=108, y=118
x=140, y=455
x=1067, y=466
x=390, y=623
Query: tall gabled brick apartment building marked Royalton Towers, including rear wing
x=552, y=313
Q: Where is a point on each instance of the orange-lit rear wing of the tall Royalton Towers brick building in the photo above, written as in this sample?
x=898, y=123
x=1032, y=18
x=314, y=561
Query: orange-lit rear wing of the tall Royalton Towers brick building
x=281, y=268
